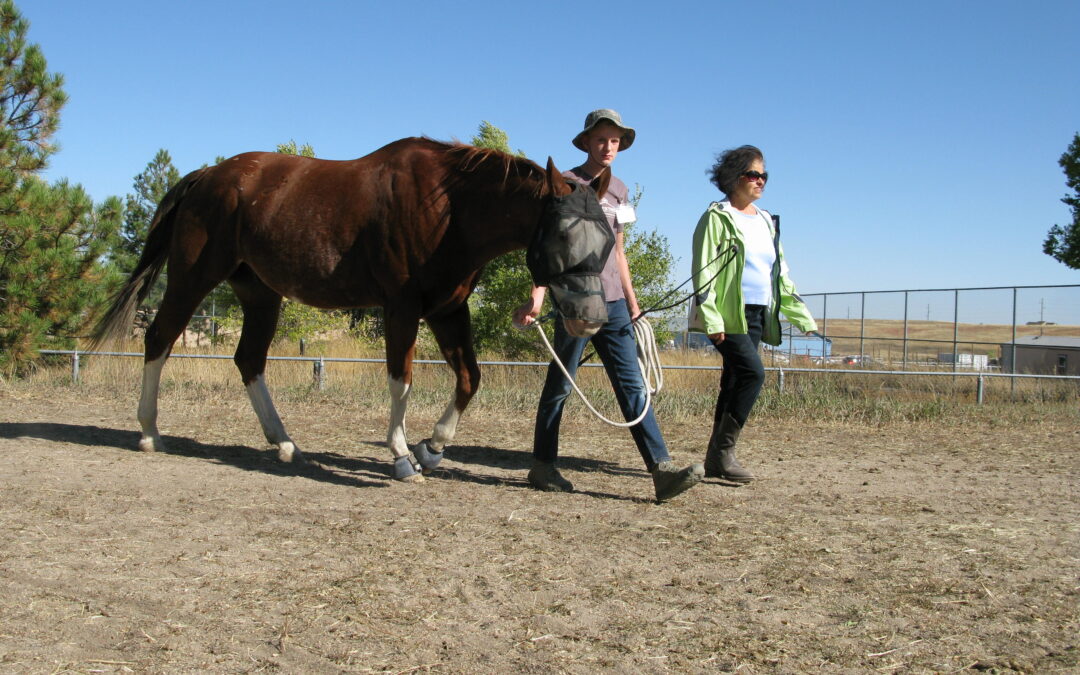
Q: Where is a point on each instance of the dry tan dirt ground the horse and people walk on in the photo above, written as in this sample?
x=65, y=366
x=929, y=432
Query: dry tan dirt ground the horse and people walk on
x=859, y=550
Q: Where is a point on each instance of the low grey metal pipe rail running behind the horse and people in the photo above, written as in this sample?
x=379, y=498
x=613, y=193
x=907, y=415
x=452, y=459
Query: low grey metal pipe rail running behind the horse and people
x=592, y=366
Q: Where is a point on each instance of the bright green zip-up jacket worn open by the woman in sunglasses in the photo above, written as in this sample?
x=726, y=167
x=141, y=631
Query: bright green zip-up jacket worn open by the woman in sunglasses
x=719, y=306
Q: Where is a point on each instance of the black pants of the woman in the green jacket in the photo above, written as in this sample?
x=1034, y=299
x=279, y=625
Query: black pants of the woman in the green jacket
x=744, y=374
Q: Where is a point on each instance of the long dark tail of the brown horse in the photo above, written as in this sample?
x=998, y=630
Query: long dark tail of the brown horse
x=125, y=303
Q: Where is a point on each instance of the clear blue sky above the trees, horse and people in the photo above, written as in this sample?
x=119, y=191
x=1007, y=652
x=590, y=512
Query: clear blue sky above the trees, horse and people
x=911, y=145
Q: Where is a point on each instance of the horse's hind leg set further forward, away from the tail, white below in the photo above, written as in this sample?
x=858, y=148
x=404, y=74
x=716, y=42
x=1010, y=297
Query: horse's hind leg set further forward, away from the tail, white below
x=262, y=308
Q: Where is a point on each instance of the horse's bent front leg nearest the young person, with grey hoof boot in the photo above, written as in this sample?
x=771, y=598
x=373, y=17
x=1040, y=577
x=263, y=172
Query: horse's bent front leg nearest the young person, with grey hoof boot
x=454, y=334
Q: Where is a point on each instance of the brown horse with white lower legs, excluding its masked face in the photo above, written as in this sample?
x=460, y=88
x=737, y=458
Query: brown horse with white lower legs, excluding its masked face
x=408, y=227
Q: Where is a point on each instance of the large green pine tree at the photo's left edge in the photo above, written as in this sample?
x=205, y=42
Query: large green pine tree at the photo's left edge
x=52, y=238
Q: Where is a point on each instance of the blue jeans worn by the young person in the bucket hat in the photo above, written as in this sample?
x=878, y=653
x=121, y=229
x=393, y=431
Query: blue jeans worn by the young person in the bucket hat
x=615, y=344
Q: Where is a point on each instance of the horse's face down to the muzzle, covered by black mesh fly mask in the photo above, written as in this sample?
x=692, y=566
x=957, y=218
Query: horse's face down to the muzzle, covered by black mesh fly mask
x=568, y=255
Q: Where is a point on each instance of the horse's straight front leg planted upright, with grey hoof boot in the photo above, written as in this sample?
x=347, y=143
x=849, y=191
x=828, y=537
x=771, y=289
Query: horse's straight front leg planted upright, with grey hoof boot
x=402, y=323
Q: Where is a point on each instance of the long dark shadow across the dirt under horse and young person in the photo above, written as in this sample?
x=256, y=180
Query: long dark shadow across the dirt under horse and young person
x=327, y=467
